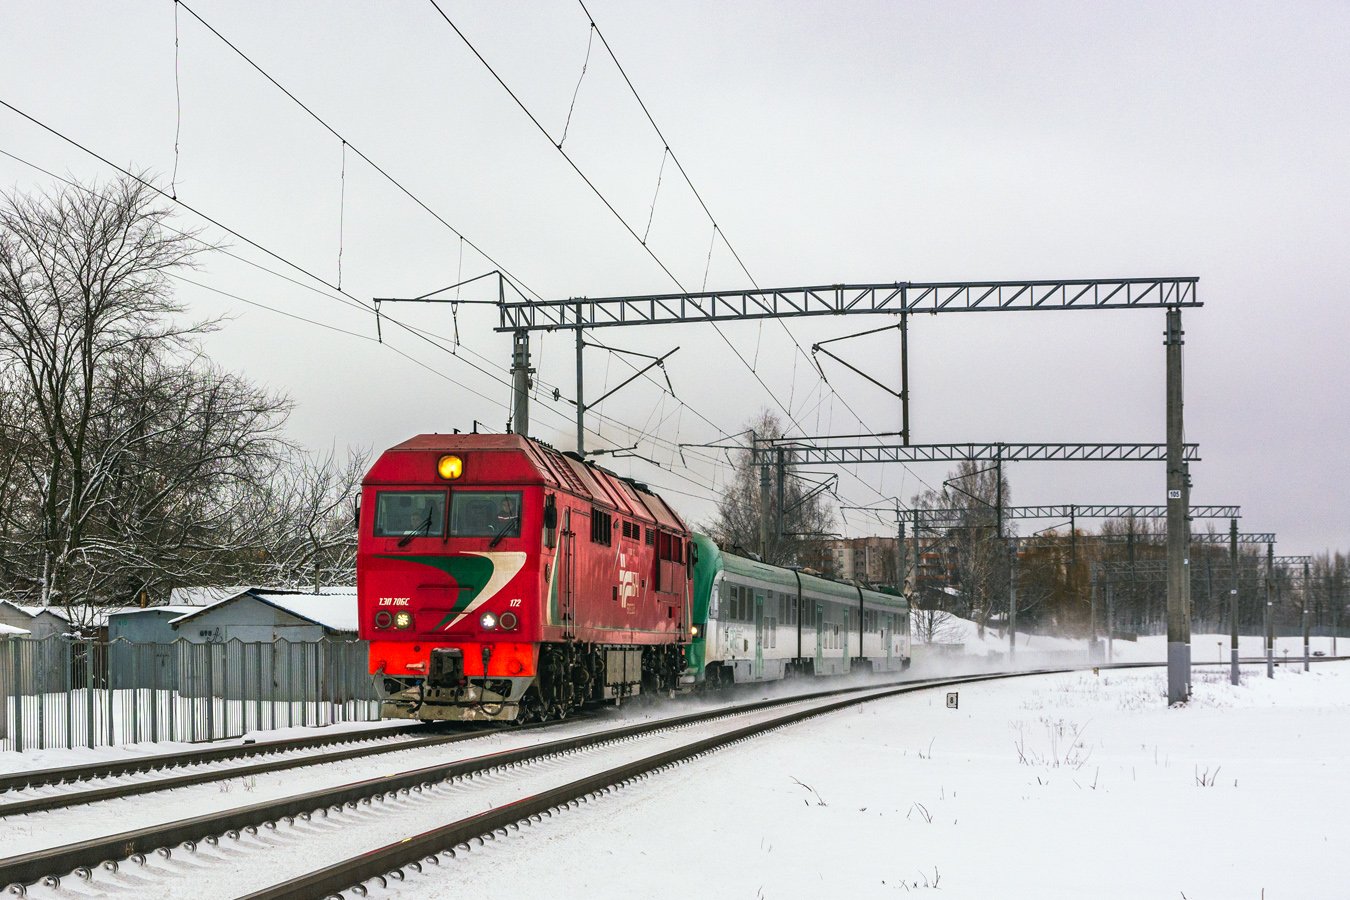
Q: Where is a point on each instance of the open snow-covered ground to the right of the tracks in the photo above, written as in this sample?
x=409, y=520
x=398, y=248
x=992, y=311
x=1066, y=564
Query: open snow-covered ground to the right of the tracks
x=1063, y=786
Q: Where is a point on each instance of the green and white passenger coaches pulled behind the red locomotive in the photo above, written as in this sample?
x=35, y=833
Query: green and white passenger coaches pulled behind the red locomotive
x=759, y=623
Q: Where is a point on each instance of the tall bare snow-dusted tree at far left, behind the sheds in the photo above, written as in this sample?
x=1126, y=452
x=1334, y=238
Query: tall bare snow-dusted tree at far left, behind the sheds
x=128, y=457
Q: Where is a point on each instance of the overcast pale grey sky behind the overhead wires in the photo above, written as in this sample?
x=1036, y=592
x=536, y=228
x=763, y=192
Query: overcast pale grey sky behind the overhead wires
x=840, y=142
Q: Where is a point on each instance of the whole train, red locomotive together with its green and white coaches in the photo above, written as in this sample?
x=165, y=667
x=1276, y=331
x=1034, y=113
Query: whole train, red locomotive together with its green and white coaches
x=503, y=581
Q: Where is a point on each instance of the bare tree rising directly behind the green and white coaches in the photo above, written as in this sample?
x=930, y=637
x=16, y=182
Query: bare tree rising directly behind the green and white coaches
x=807, y=515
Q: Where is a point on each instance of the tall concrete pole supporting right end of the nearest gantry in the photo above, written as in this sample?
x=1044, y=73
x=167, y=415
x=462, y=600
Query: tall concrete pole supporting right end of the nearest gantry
x=1179, y=581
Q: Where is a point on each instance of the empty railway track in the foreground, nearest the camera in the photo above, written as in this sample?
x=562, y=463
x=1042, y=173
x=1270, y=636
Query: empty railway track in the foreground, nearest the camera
x=519, y=786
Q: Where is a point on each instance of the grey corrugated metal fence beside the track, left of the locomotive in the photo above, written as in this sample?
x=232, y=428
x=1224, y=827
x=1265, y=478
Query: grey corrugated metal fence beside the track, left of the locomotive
x=64, y=693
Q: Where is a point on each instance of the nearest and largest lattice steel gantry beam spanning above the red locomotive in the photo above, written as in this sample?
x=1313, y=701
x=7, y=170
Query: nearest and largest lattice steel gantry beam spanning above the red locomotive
x=850, y=300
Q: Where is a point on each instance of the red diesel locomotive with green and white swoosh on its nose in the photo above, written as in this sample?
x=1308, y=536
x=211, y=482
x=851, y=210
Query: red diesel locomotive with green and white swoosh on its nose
x=500, y=580
